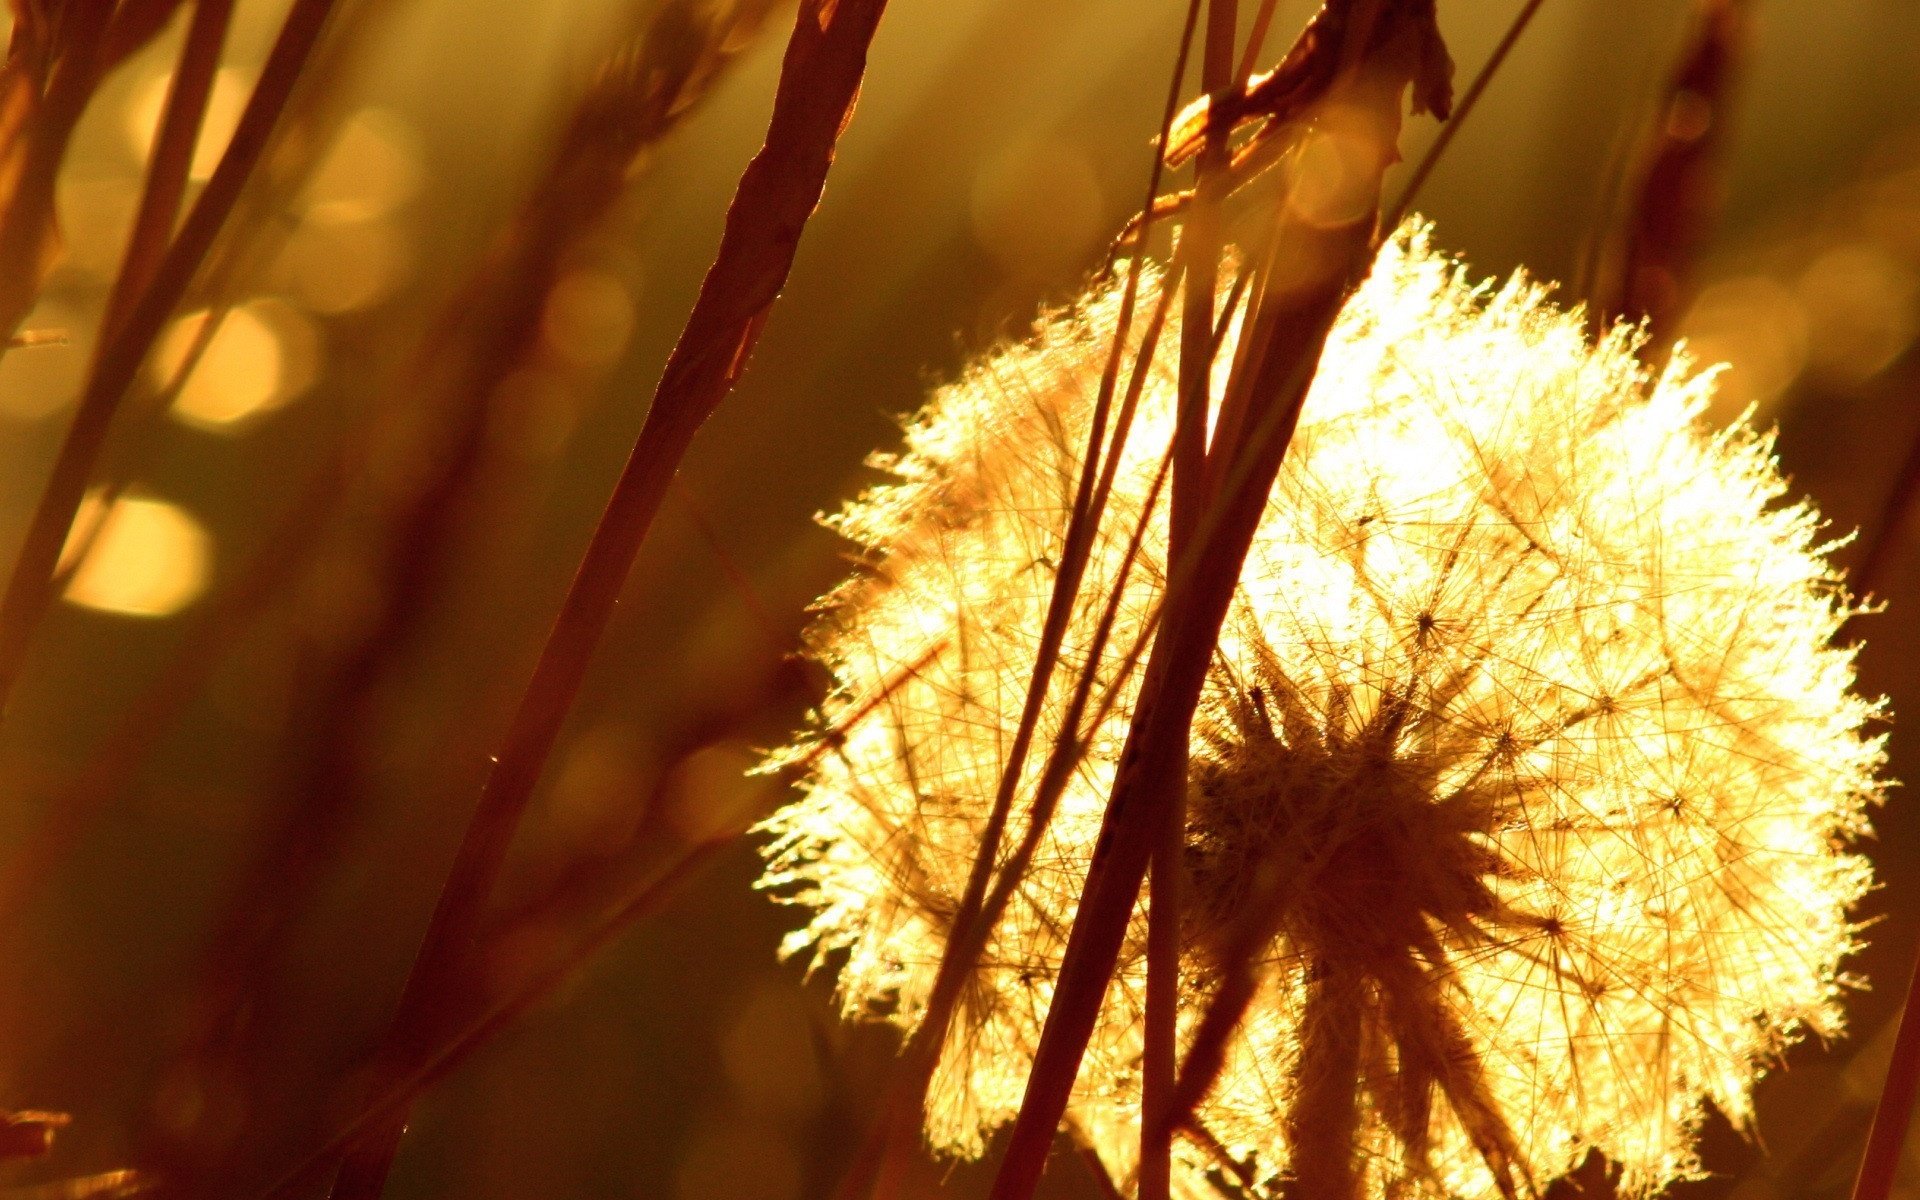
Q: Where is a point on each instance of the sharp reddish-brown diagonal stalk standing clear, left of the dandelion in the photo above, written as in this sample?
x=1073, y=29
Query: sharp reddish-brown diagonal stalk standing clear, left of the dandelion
x=779, y=193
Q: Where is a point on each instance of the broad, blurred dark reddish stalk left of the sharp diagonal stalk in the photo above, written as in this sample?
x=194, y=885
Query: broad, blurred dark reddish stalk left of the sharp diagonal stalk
x=487, y=333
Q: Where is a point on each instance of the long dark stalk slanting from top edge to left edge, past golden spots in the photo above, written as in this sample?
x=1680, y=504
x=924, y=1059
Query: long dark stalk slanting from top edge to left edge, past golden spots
x=30, y=588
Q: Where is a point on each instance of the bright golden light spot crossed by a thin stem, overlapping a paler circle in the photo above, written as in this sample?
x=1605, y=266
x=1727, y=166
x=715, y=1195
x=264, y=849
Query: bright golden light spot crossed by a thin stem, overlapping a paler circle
x=258, y=358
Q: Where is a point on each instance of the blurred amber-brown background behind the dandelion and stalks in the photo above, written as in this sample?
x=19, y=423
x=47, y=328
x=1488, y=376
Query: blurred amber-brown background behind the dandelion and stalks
x=287, y=452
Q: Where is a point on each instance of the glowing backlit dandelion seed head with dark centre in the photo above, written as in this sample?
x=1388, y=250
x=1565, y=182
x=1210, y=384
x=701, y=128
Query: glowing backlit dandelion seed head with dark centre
x=1525, y=752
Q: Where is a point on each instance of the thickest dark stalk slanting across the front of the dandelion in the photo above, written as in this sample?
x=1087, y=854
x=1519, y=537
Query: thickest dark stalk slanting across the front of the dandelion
x=1378, y=53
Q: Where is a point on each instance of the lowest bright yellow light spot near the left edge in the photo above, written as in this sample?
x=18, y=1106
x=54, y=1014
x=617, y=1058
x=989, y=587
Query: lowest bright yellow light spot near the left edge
x=145, y=558
